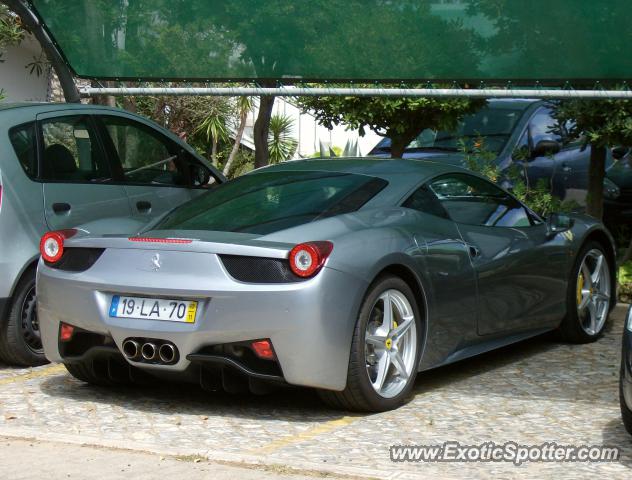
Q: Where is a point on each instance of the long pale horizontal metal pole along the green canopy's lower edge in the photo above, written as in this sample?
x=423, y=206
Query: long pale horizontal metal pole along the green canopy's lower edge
x=361, y=92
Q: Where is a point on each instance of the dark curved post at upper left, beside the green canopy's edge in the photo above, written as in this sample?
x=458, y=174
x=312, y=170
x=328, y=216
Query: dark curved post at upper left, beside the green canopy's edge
x=66, y=80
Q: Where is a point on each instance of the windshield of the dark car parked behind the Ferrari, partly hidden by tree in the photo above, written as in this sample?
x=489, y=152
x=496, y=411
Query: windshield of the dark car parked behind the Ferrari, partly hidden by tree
x=492, y=123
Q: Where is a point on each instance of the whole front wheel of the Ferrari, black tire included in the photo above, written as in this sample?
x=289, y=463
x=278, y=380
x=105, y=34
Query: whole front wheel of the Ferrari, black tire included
x=586, y=296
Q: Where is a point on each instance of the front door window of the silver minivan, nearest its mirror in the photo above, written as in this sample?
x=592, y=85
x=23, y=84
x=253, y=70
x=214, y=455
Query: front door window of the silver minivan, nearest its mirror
x=145, y=156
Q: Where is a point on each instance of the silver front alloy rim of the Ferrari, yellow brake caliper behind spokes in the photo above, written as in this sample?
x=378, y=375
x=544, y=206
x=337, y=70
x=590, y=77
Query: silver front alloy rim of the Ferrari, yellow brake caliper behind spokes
x=593, y=292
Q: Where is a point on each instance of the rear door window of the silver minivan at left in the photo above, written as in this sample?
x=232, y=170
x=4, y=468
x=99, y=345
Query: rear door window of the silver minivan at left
x=71, y=152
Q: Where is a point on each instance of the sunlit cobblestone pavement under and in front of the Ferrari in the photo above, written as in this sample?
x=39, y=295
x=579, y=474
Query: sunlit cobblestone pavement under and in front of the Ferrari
x=534, y=392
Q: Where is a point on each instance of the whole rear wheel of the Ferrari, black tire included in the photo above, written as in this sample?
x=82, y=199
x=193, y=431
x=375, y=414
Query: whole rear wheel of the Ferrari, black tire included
x=361, y=392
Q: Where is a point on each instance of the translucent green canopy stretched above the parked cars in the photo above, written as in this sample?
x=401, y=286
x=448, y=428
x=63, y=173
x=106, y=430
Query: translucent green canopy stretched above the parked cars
x=550, y=41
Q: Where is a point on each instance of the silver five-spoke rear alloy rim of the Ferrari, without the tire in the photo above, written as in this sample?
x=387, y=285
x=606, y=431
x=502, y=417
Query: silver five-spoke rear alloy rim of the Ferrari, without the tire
x=391, y=343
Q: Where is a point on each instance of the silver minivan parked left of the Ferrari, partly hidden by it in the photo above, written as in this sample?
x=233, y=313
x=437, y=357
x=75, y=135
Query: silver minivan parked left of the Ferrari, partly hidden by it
x=63, y=165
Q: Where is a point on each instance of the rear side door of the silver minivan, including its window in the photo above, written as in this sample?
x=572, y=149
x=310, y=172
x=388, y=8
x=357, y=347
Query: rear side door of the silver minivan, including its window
x=74, y=173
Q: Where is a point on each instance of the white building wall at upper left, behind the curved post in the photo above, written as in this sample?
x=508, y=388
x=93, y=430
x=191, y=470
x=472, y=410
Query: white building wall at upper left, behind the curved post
x=15, y=80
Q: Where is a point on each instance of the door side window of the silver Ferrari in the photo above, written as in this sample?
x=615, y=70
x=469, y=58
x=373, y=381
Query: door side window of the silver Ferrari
x=473, y=201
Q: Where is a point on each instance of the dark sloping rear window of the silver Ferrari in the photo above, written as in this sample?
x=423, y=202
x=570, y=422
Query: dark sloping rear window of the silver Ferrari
x=268, y=202
